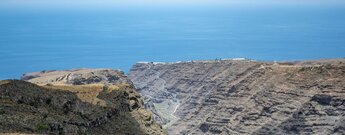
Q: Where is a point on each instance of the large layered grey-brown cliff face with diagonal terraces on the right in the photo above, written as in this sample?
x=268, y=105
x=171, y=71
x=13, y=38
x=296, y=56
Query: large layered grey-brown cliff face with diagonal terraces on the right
x=245, y=97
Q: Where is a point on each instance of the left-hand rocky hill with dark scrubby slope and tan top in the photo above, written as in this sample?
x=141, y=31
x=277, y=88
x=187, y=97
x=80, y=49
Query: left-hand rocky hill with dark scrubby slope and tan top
x=84, y=101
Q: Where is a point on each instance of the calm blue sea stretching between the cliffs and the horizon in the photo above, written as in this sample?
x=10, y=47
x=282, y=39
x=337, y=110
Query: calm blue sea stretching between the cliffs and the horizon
x=46, y=40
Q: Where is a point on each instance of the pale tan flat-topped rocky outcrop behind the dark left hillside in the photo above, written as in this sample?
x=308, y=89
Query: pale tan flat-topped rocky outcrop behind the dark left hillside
x=76, y=77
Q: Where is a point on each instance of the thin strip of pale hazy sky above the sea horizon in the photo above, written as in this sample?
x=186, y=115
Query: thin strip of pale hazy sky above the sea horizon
x=161, y=3
